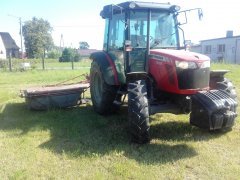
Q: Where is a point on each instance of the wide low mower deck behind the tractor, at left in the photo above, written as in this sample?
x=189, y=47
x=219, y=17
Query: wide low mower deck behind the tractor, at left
x=60, y=96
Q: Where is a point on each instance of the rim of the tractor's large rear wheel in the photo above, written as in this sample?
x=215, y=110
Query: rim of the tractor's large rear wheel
x=97, y=88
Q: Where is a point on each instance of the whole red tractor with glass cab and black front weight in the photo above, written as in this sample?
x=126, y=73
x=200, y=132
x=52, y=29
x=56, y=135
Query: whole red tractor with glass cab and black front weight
x=142, y=58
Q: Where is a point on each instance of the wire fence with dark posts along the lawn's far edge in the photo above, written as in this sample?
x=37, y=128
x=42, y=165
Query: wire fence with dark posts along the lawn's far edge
x=42, y=64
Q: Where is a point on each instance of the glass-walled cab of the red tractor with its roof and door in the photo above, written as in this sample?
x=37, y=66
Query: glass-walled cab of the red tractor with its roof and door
x=133, y=28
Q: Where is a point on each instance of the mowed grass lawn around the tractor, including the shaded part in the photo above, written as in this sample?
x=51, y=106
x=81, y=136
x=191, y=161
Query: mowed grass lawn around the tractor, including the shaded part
x=77, y=143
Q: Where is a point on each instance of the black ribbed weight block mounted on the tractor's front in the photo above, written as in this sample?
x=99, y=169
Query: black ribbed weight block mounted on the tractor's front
x=213, y=110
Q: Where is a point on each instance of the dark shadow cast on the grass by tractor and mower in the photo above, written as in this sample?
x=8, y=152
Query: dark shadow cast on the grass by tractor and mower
x=81, y=132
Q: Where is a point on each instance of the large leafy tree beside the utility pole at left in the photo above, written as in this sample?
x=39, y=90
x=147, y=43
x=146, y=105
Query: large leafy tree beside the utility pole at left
x=37, y=37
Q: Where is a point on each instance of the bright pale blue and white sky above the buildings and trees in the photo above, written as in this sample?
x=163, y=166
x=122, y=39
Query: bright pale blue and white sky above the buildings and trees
x=79, y=20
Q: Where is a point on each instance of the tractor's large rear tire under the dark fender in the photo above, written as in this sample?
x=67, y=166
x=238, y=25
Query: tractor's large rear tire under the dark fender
x=102, y=94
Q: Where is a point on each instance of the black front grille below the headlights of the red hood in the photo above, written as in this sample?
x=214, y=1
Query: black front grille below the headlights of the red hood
x=193, y=78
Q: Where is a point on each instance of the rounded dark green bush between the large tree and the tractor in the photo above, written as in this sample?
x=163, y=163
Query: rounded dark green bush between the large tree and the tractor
x=69, y=55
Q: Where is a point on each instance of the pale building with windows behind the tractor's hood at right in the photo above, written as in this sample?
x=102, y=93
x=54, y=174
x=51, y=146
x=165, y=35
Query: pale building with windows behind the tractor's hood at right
x=226, y=49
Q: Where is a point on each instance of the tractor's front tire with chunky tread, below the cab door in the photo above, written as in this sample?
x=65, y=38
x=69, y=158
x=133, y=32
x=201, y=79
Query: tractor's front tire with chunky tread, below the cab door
x=138, y=112
